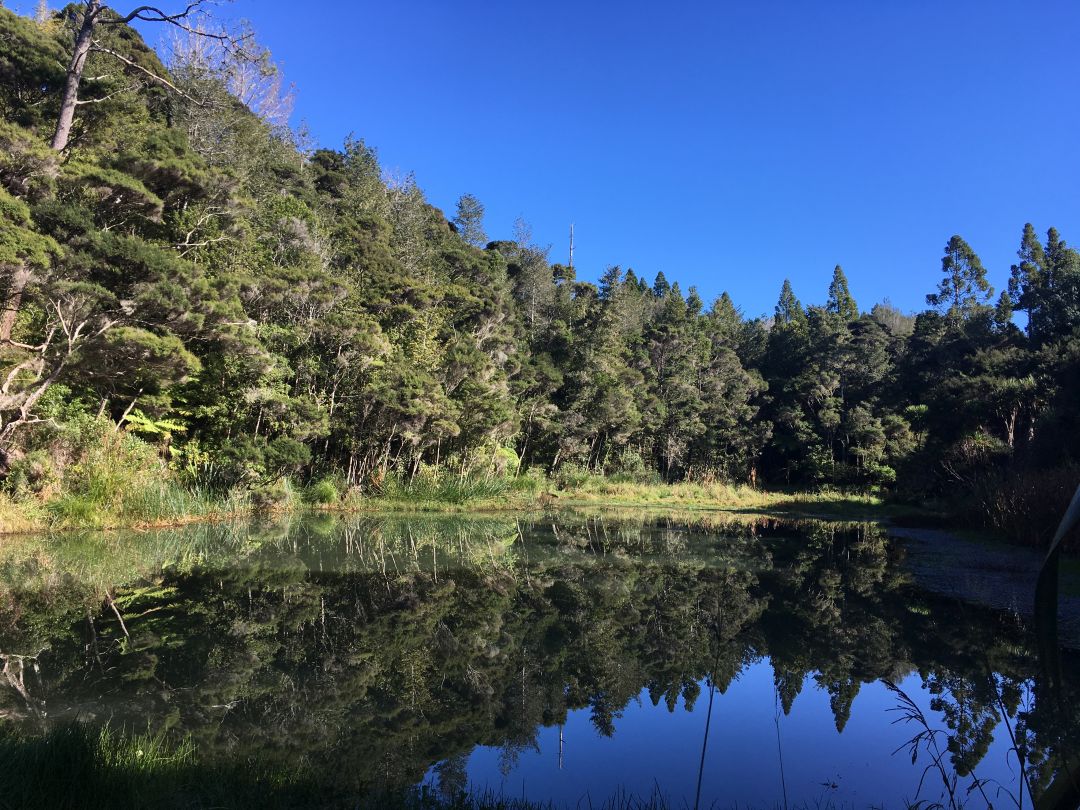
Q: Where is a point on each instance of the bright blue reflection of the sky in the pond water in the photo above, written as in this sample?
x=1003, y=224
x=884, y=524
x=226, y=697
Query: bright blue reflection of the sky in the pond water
x=658, y=752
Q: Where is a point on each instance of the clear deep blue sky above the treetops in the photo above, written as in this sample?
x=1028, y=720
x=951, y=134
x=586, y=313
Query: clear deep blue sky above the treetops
x=728, y=144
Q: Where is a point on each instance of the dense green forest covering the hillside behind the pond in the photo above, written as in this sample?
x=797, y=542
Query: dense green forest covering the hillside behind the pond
x=187, y=283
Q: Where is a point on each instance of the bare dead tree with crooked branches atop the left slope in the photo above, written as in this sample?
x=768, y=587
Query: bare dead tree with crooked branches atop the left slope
x=94, y=17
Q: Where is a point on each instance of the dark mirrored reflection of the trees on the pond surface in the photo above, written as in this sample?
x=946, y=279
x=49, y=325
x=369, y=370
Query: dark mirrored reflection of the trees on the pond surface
x=376, y=649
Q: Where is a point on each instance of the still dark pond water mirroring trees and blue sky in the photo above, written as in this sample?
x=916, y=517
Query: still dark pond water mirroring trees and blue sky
x=570, y=659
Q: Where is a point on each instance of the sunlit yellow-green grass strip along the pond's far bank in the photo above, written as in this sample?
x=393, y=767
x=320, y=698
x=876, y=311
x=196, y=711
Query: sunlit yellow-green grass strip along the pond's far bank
x=123, y=485
